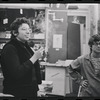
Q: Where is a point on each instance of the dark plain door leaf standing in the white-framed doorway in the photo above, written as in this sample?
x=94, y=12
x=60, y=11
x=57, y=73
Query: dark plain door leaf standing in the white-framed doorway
x=73, y=41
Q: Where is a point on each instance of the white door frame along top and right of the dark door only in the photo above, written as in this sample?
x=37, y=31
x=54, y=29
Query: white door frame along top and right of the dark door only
x=86, y=14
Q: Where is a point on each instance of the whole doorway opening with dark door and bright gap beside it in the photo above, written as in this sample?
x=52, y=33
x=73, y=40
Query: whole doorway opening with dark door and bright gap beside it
x=77, y=25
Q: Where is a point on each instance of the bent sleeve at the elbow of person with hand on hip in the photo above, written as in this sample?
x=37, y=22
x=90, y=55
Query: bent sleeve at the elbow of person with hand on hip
x=74, y=70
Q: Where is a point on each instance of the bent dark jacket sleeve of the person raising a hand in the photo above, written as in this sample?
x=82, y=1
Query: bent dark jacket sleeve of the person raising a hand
x=11, y=64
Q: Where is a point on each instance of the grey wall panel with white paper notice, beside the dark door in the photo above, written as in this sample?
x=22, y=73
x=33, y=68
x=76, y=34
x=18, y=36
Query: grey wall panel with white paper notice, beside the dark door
x=57, y=27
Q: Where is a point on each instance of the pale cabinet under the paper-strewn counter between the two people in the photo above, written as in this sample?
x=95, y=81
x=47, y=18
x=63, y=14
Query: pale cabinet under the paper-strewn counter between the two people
x=62, y=83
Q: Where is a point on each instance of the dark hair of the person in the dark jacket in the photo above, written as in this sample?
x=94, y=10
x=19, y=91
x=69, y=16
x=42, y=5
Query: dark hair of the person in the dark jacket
x=16, y=23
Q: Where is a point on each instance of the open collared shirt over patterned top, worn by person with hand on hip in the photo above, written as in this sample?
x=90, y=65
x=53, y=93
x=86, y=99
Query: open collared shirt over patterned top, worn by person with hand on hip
x=87, y=71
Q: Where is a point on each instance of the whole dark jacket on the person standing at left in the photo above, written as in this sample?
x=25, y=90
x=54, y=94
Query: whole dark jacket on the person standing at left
x=20, y=74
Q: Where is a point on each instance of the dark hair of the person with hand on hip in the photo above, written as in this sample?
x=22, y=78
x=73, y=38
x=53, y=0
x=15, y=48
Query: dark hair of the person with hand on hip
x=93, y=38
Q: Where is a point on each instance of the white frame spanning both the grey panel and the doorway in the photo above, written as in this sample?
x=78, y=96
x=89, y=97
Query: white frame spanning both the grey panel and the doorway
x=84, y=13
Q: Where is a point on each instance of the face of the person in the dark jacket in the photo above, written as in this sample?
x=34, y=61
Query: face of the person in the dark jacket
x=24, y=32
